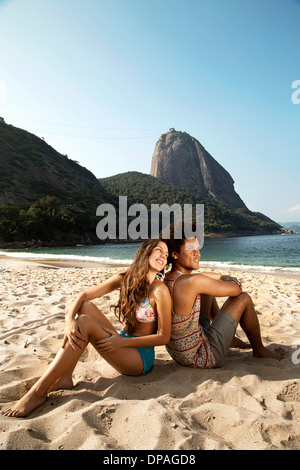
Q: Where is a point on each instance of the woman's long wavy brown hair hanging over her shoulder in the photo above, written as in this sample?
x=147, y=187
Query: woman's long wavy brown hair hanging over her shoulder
x=134, y=286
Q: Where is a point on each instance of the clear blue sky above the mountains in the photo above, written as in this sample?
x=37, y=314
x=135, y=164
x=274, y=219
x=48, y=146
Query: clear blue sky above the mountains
x=101, y=80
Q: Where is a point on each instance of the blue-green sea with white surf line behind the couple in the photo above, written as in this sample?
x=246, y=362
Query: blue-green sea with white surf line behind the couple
x=265, y=253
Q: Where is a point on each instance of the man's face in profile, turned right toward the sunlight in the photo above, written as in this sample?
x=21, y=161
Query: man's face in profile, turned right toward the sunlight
x=188, y=257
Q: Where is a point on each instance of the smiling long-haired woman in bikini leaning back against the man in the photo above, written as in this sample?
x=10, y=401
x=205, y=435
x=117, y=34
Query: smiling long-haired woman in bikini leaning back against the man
x=145, y=309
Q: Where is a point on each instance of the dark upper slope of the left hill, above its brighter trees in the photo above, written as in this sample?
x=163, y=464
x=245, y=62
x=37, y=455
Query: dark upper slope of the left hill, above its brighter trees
x=31, y=169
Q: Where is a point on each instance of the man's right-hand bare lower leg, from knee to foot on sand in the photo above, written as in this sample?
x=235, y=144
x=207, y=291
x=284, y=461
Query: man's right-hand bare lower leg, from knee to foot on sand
x=242, y=309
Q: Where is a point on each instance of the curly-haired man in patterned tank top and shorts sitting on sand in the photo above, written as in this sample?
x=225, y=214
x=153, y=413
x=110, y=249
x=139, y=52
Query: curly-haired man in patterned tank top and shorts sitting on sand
x=201, y=333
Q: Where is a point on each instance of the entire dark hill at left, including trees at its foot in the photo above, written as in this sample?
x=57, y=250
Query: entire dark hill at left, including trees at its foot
x=45, y=197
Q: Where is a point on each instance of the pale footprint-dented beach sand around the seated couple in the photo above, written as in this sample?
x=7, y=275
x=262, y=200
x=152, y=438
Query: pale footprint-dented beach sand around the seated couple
x=248, y=403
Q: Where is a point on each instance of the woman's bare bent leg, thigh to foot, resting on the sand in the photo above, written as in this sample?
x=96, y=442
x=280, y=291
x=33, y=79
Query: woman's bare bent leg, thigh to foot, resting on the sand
x=125, y=360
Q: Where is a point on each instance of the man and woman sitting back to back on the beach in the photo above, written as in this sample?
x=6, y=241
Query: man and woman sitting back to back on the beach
x=180, y=312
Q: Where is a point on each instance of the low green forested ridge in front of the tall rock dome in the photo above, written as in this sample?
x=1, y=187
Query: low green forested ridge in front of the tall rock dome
x=145, y=189
